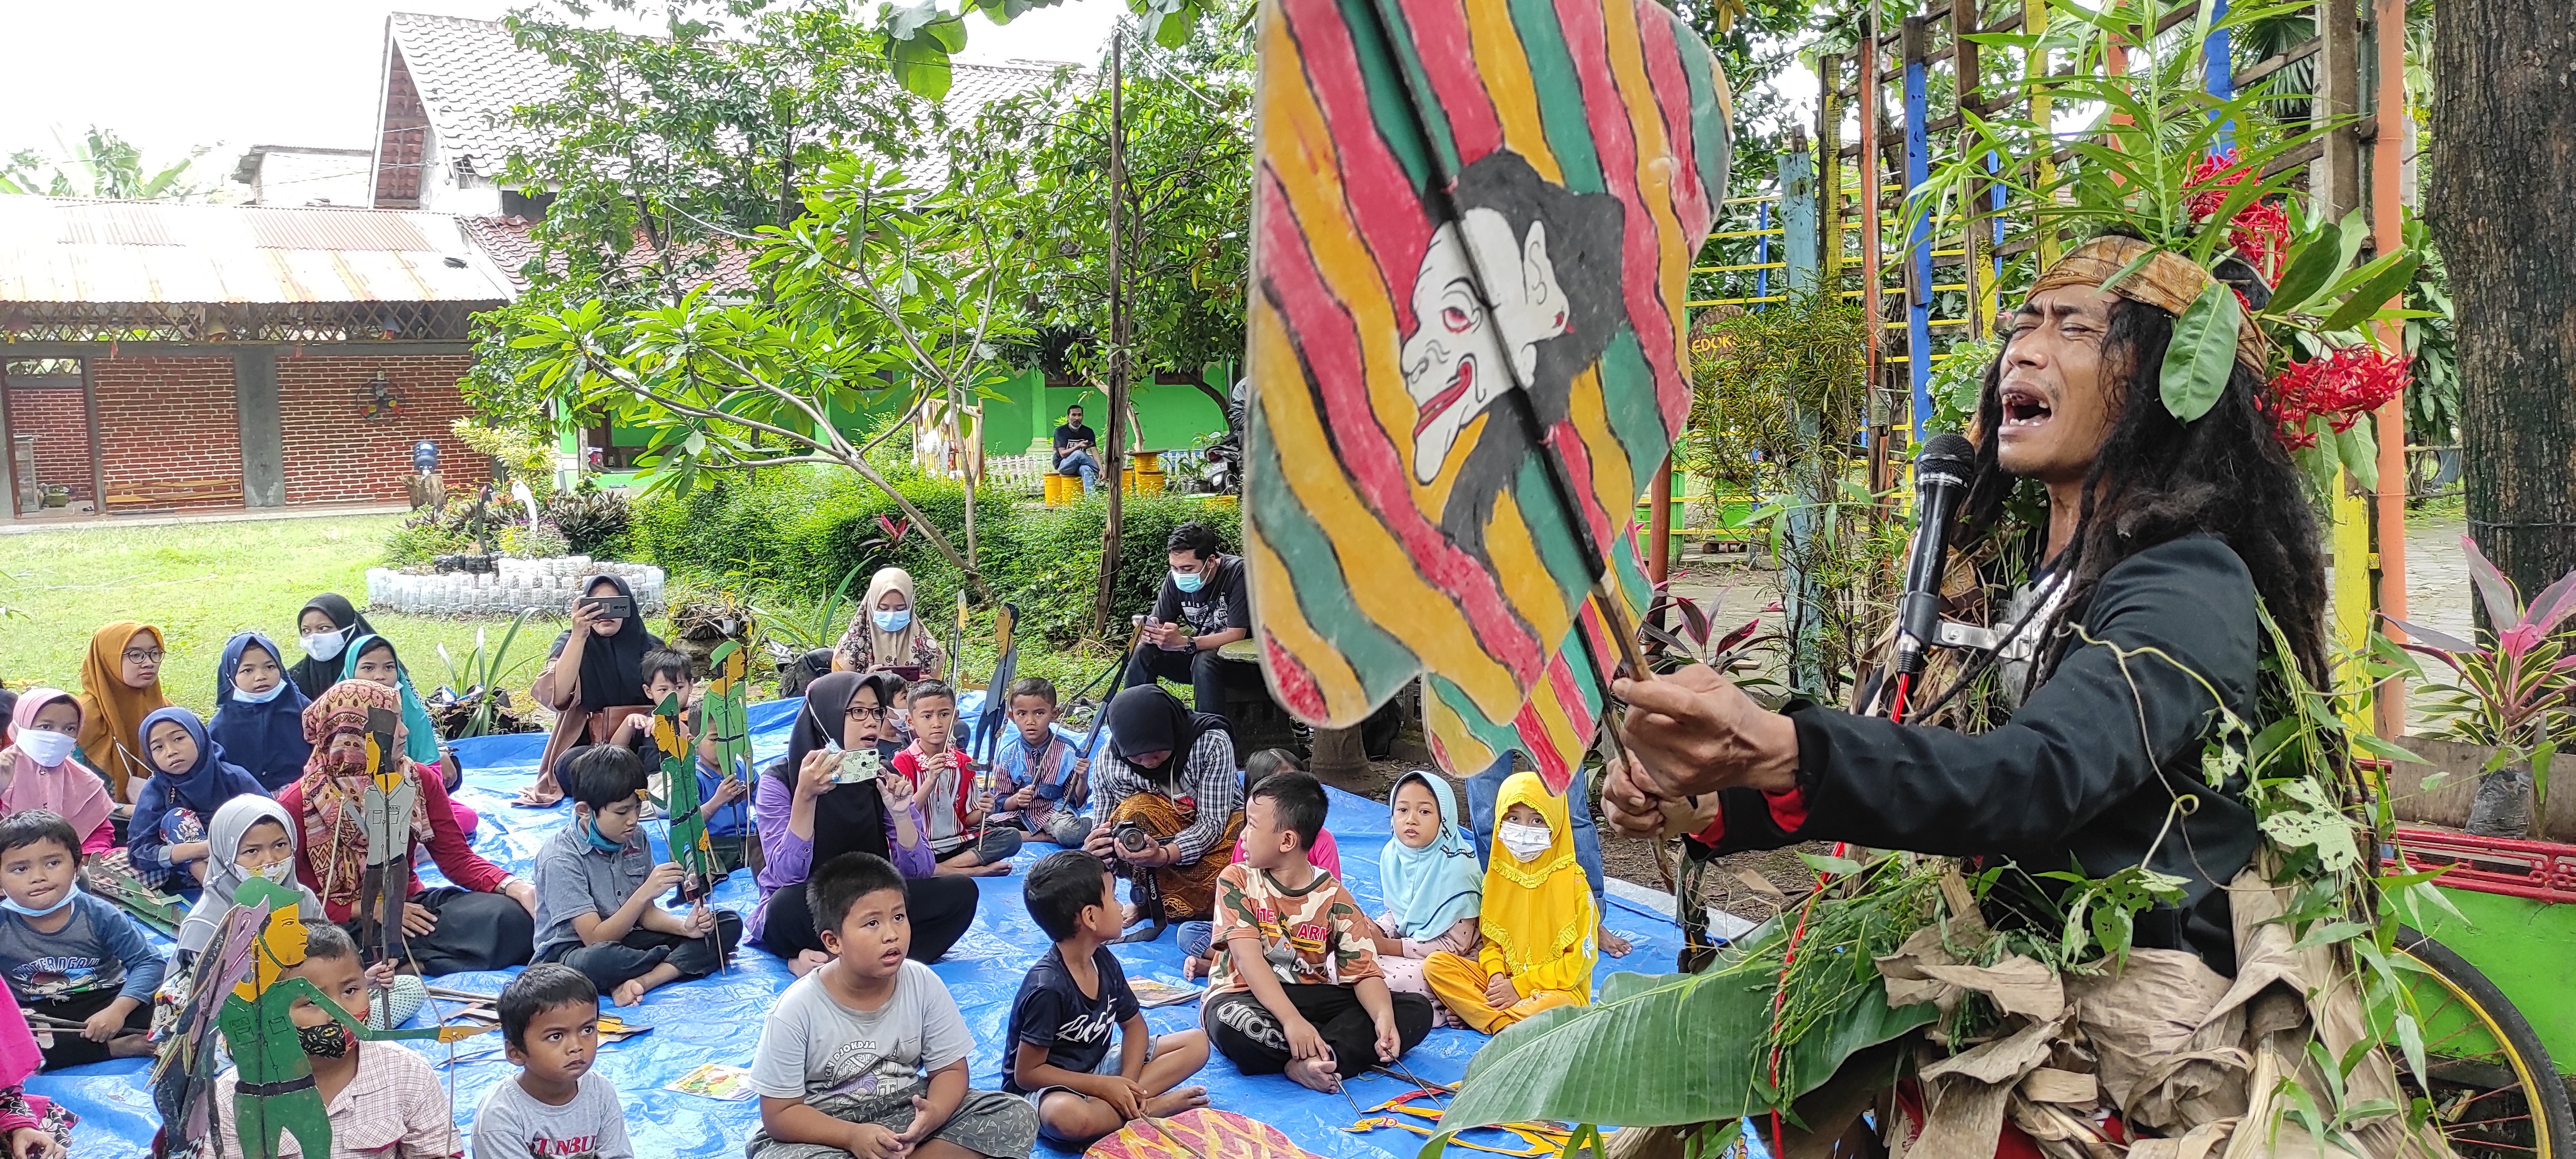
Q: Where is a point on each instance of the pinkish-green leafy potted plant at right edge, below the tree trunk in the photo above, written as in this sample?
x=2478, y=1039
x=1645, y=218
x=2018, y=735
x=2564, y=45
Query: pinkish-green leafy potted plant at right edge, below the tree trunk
x=2515, y=694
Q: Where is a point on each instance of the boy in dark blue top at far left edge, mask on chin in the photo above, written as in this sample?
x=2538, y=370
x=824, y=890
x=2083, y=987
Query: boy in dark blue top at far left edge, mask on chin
x=71, y=959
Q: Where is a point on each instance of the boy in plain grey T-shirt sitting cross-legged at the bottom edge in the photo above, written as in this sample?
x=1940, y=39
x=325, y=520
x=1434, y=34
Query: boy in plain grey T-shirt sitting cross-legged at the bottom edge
x=867, y=1055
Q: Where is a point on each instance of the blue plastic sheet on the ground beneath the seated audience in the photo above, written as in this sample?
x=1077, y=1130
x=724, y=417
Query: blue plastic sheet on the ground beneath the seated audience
x=720, y=1019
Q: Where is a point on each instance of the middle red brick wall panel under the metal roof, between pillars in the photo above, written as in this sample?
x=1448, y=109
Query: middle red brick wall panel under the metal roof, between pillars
x=169, y=424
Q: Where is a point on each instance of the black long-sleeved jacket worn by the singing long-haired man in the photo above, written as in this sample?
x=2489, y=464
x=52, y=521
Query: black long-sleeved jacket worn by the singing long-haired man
x=2083, y=777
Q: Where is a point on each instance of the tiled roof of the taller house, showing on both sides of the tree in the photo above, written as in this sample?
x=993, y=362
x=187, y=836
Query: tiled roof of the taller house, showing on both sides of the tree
x=470, y=76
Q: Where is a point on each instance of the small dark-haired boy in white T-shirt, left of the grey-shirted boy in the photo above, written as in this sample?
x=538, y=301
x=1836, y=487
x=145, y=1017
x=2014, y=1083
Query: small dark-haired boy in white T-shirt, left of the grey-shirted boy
x=550, y=1024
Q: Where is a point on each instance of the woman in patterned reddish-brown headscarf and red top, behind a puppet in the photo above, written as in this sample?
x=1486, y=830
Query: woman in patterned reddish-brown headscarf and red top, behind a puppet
x=483, y=923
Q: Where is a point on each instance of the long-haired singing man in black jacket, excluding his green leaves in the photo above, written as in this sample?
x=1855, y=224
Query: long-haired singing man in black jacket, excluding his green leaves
x=2126, y=645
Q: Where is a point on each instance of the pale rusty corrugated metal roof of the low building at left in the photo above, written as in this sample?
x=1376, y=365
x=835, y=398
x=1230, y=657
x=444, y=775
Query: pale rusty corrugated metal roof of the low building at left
x=146, y=251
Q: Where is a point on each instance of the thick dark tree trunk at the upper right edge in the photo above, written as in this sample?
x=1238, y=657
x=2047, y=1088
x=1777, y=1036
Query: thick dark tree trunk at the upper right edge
x=2503, y=218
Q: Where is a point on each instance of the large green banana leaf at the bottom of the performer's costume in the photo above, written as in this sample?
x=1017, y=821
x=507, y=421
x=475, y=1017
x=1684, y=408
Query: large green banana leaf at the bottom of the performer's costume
x=1663, y=1050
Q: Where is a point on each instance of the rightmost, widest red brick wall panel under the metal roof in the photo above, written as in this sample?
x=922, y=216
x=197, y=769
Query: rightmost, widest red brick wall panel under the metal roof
x=334, y=455
